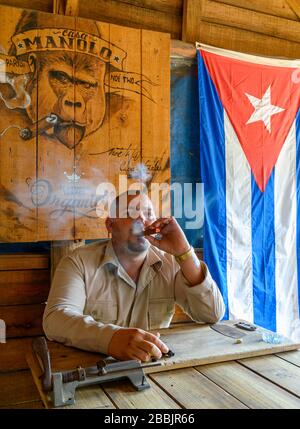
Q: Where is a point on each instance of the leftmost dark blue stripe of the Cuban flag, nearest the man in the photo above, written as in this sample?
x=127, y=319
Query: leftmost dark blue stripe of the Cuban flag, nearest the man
x=213, y=175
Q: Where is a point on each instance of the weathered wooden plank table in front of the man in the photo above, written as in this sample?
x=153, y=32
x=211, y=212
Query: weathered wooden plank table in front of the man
x=221, y=379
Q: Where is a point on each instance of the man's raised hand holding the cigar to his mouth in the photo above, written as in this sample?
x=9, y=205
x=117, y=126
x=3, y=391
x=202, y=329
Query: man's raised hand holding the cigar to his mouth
x=173, y=239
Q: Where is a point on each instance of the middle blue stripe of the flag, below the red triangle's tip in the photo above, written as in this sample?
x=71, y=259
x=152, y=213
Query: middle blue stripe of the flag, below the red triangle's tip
x=263, y=255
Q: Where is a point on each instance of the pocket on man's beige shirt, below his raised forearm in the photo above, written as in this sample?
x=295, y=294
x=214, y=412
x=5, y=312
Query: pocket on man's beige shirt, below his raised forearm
x=160, y=312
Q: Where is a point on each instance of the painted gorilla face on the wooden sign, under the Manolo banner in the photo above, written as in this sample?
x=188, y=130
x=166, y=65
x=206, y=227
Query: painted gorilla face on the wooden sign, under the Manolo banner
x=72, y=87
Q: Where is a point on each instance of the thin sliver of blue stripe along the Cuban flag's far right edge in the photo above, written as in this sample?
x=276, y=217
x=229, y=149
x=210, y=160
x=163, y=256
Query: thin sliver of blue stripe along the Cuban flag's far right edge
x=298, y=201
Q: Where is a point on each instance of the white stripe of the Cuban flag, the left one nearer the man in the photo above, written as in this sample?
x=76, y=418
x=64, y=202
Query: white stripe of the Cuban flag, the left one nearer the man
x=238, y=227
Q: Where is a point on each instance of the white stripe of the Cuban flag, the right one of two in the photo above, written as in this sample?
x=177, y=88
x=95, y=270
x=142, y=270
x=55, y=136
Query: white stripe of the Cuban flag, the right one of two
x=285, y=206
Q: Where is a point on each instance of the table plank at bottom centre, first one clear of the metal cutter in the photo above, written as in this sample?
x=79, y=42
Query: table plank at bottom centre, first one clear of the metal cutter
x=192, y=390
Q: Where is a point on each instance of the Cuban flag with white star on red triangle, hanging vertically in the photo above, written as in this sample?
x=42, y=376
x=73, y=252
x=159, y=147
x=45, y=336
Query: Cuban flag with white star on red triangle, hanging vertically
x=250, y=149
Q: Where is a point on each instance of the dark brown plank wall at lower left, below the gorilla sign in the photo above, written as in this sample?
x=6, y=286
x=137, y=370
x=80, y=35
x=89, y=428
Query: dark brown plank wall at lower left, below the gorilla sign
x=24, y=288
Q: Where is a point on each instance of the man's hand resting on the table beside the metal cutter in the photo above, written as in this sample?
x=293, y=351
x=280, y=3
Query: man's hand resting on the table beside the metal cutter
x=132, y=343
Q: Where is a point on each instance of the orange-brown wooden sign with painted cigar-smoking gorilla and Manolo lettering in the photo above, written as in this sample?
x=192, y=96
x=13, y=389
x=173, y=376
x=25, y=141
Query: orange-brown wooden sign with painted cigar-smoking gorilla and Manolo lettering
x=82, y=103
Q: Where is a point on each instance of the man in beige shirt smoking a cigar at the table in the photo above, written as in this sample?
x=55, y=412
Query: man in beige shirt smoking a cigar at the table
x=106, y=297
